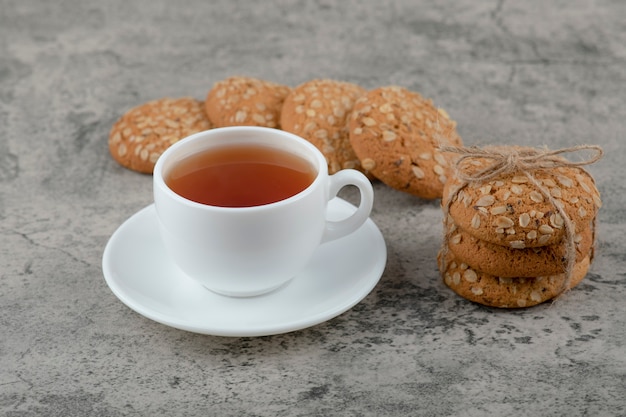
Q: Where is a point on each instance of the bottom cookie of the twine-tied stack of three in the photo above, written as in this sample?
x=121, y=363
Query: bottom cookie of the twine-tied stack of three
x=494, y=291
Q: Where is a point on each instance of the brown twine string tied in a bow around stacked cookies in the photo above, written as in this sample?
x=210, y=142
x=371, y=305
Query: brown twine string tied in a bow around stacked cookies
x=507, y=160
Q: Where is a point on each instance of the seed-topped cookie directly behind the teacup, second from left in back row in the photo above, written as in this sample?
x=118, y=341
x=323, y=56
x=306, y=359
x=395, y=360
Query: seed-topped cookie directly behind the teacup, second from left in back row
x=245, y=101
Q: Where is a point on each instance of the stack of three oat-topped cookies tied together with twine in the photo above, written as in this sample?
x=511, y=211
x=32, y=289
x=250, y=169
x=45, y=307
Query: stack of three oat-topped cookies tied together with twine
x=520, y=238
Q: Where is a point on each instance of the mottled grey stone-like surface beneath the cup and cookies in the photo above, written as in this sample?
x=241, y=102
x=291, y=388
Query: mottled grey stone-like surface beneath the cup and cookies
x=531, y=72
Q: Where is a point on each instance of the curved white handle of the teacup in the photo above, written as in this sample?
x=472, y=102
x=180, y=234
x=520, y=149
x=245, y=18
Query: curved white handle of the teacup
x=337, y=229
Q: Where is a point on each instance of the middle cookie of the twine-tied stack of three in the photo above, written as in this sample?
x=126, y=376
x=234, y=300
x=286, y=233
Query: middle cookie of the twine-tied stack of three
x=503, y=261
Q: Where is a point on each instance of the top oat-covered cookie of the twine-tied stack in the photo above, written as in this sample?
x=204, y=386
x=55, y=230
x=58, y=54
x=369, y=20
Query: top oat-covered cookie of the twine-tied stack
x=512, y=211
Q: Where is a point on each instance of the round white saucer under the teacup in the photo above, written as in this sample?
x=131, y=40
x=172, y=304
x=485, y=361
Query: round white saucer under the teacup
x=341, y=274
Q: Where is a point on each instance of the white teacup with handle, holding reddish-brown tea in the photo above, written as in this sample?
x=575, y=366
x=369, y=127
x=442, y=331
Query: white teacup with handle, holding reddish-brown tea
x=248, y=251
